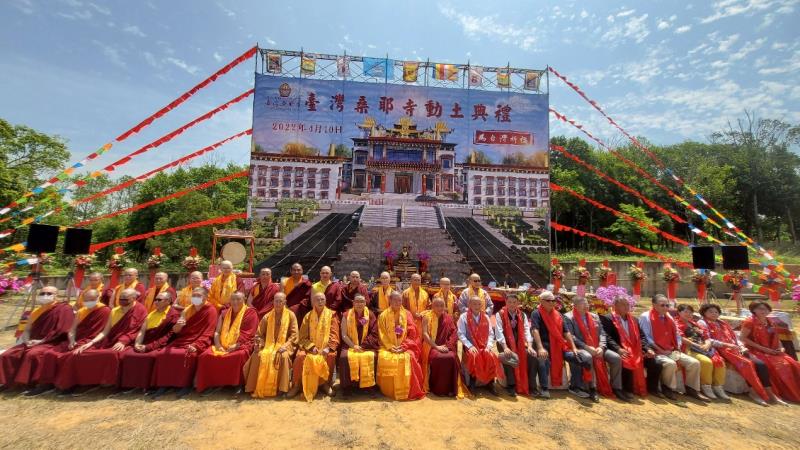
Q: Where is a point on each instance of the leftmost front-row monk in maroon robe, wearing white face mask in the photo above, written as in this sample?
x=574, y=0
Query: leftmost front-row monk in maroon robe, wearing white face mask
x=47, y=327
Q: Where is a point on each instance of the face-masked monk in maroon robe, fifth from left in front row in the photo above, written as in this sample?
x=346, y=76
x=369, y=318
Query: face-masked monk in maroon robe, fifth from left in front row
x=175, y=364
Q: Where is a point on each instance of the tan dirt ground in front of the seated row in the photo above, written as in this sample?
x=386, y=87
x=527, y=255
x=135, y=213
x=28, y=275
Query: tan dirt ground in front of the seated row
x=221, y=421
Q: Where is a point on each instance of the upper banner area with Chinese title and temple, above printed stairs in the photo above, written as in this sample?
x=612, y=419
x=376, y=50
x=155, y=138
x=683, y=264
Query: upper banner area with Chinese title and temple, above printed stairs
x=382, y=138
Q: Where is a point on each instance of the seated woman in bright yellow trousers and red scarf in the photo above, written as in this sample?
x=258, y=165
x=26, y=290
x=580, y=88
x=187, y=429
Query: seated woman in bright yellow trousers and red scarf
x=696, y=343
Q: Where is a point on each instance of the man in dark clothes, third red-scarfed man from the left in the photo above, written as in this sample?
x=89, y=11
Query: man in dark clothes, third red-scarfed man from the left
x=552, y=336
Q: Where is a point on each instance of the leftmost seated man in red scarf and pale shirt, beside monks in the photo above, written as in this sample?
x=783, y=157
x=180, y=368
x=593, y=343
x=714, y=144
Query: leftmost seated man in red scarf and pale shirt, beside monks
x=481, y=364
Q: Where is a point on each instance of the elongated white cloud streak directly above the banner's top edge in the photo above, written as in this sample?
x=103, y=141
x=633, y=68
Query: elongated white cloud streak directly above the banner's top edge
x=488, y=26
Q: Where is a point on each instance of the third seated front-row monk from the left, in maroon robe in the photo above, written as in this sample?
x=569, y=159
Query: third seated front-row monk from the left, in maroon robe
x=97, y=361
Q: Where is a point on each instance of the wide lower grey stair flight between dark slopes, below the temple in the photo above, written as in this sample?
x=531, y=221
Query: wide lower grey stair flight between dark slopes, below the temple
x=364, y=252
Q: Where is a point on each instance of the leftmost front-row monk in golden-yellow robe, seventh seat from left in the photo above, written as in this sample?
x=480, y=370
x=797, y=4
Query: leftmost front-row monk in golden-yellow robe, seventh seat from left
x=267, y=373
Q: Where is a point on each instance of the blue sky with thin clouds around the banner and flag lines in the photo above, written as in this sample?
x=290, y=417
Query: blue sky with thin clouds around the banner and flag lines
x=669, y=70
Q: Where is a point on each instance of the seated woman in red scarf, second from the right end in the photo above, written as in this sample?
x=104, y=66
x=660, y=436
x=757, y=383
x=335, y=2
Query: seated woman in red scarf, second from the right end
x=724, y=340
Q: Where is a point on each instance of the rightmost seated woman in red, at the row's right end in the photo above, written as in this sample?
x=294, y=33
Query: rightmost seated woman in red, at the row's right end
x=760, y=335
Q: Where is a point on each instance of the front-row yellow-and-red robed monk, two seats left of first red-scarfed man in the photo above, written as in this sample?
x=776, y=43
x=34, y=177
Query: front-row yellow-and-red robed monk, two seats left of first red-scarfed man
x=399, y=372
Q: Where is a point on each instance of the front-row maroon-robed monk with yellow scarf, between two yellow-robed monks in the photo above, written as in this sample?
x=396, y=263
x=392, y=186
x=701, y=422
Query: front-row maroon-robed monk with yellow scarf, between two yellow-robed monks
x=358, y=334
